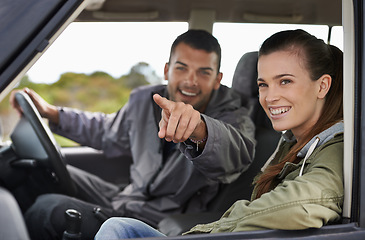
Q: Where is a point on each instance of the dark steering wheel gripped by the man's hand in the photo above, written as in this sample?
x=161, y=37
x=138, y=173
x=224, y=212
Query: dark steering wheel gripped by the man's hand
x=52, y=158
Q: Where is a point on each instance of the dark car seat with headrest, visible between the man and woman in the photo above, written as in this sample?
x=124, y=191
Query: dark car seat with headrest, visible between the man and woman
x=245, y=82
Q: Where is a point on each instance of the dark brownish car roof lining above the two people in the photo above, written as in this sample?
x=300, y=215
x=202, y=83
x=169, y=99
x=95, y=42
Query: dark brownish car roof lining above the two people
x=236, y=11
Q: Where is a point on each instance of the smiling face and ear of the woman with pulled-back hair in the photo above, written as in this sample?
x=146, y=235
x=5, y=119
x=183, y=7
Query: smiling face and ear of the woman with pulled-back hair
x=287, y=94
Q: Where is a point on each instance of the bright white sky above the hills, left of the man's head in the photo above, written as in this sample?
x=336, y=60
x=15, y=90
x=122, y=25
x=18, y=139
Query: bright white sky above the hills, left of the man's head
x=112, y=47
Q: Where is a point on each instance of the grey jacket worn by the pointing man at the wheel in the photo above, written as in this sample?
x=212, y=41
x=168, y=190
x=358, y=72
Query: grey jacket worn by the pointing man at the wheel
x=184, y=181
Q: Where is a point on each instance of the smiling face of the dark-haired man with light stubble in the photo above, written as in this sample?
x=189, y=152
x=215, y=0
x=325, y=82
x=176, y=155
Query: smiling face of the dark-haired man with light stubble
x=192, y=75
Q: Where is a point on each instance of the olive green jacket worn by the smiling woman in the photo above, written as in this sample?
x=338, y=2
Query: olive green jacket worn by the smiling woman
x=298, y=202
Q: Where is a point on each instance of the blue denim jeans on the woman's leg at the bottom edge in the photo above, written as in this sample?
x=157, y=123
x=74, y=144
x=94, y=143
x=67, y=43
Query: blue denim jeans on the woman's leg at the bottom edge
x=122, y=228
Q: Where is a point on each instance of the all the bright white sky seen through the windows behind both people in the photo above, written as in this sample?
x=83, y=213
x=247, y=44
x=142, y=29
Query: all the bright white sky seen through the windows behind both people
x=115, y=47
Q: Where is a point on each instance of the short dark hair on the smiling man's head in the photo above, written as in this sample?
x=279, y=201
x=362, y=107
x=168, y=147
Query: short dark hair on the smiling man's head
x=201, y=40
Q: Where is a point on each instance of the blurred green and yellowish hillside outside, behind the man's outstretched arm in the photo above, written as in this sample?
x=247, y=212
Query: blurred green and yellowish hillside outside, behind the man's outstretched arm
x=95, y=92
